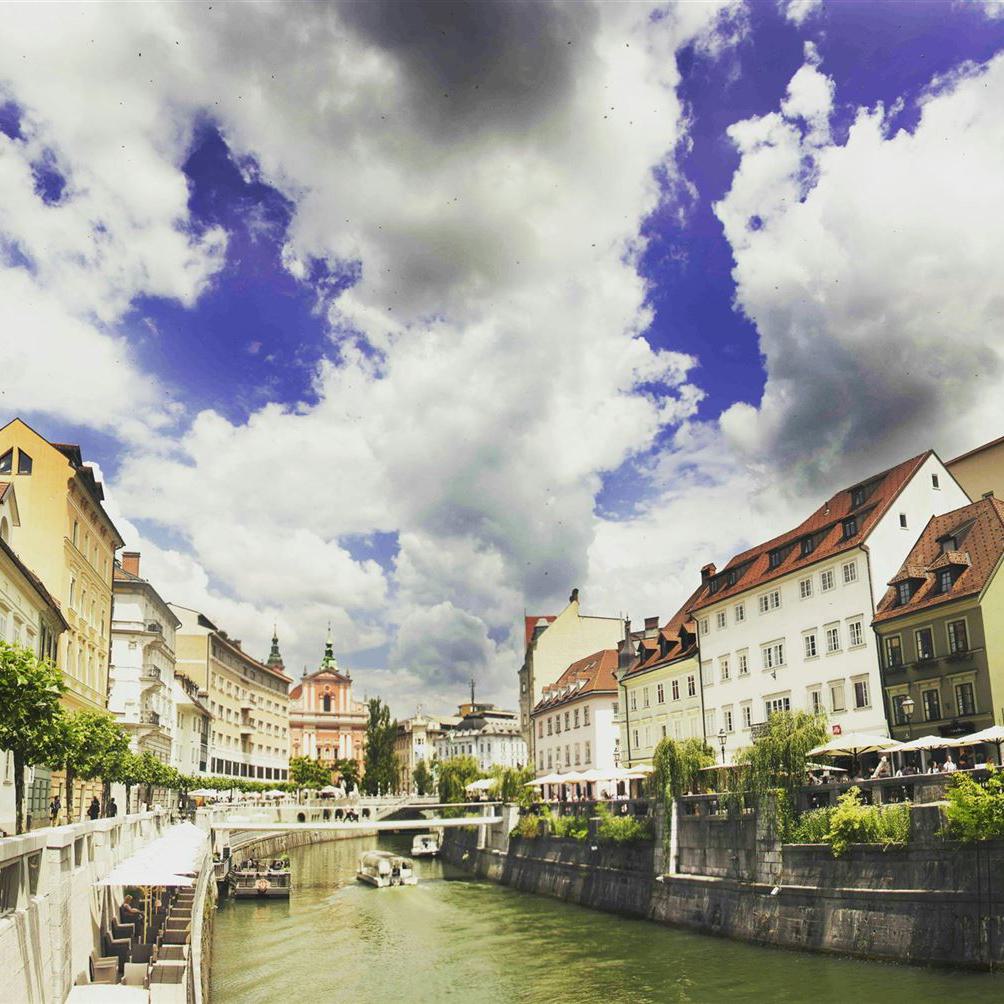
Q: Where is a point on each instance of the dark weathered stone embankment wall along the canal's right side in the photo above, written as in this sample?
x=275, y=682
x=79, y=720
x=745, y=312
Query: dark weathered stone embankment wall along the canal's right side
x=933, y=902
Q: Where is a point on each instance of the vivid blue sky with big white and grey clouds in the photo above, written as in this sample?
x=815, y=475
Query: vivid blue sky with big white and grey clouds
x=409, y=318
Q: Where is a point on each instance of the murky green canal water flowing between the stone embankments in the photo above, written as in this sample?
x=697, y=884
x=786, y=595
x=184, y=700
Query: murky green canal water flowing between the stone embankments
x=454, y=938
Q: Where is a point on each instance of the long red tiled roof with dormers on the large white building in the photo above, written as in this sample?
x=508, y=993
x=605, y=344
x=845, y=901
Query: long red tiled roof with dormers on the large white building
x=752, y=567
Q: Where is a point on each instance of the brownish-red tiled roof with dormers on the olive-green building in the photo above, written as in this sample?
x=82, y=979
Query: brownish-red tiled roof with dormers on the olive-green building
x=978, y=530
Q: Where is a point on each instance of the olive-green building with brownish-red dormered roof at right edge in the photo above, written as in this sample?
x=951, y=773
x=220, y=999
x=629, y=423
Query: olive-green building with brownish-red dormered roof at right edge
x=940, y=627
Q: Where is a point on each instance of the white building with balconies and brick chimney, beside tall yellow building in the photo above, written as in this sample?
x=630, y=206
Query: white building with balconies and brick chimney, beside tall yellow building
x=142, y=675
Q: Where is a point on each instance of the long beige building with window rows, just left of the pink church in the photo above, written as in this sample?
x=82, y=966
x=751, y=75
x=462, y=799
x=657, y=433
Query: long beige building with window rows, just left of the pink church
x=249, y=700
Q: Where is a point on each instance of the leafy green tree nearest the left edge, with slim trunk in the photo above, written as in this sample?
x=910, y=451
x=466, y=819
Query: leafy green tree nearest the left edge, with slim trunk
x=30, y=714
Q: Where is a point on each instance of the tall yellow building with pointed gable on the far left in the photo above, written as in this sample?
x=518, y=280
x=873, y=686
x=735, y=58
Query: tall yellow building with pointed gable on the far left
x=70, y=542
